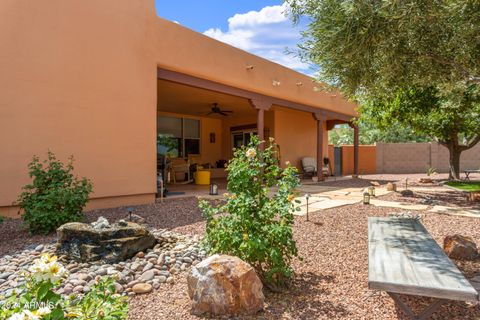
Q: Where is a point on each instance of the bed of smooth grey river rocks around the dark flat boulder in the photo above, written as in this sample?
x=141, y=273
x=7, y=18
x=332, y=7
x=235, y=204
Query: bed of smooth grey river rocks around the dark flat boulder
x=174, y=253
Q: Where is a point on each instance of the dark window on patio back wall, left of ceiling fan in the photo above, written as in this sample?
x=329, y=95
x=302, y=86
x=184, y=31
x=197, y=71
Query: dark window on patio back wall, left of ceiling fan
x=178, y=137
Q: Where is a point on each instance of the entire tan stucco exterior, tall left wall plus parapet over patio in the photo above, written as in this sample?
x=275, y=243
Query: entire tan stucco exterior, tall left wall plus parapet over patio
x=79, y=77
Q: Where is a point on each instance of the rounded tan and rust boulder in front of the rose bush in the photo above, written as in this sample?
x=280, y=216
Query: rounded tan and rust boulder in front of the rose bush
x=225, y=285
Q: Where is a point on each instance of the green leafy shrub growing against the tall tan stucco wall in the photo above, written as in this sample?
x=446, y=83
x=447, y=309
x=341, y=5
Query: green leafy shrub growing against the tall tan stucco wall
x=55, y=195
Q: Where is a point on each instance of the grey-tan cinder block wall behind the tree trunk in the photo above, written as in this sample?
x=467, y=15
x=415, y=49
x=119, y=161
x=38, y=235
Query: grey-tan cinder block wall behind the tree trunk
x=417, y=157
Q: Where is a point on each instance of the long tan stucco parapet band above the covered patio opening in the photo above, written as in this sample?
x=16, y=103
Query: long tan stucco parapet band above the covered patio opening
x=222, y=63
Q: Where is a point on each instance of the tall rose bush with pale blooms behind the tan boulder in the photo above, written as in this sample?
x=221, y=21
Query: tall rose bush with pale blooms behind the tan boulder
x=255, y=223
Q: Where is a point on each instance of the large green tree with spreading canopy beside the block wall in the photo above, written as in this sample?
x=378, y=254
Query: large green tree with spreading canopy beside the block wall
x=397, y=55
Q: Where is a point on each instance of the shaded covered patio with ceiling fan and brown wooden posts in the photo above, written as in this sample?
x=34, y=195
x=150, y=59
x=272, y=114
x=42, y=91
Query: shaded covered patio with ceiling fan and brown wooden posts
x=214, y=118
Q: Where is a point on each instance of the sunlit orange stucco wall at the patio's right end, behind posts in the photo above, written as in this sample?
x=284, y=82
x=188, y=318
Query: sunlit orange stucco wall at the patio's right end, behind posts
x=296, y=134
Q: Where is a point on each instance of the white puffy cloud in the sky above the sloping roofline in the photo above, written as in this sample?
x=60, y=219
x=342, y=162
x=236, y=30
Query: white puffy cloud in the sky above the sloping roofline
x=267, y=33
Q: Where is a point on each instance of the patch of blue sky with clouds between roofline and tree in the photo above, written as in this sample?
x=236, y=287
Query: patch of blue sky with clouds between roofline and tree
x=259, y=27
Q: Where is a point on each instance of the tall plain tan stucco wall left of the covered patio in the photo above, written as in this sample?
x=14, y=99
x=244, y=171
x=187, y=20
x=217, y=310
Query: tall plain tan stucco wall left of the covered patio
x=78, y=78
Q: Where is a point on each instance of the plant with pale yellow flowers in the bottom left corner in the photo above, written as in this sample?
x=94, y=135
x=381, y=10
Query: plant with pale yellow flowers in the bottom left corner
x=36, y=298
